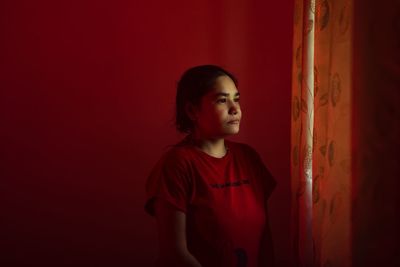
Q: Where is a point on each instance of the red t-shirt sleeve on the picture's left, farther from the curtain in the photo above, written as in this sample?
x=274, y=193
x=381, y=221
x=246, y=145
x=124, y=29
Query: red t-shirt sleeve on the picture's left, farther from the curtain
x=169, y=181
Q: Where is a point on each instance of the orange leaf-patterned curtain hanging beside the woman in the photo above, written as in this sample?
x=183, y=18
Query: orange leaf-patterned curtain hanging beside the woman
x=321, y=133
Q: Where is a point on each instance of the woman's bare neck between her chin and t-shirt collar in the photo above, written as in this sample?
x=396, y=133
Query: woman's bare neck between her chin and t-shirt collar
x=212, y=146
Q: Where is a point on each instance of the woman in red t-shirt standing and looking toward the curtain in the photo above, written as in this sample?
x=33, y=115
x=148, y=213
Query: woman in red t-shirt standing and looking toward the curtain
x=209, y=195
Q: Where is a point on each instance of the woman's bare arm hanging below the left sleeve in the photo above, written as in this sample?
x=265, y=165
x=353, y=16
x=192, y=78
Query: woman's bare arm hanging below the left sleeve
x=171, y=226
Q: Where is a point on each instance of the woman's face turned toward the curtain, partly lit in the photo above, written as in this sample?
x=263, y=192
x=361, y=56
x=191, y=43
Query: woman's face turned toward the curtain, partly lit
x=219, y=114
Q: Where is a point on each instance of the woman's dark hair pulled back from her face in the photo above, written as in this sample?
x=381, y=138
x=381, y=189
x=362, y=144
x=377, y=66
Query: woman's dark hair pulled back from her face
x=193, y=85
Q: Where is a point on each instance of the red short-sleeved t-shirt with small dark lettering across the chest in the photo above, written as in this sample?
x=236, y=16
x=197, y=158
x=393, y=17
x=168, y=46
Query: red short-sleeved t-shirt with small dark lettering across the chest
x=223, y=199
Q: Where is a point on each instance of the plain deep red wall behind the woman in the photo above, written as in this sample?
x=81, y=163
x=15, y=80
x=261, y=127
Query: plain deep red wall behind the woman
x=86, y=106
